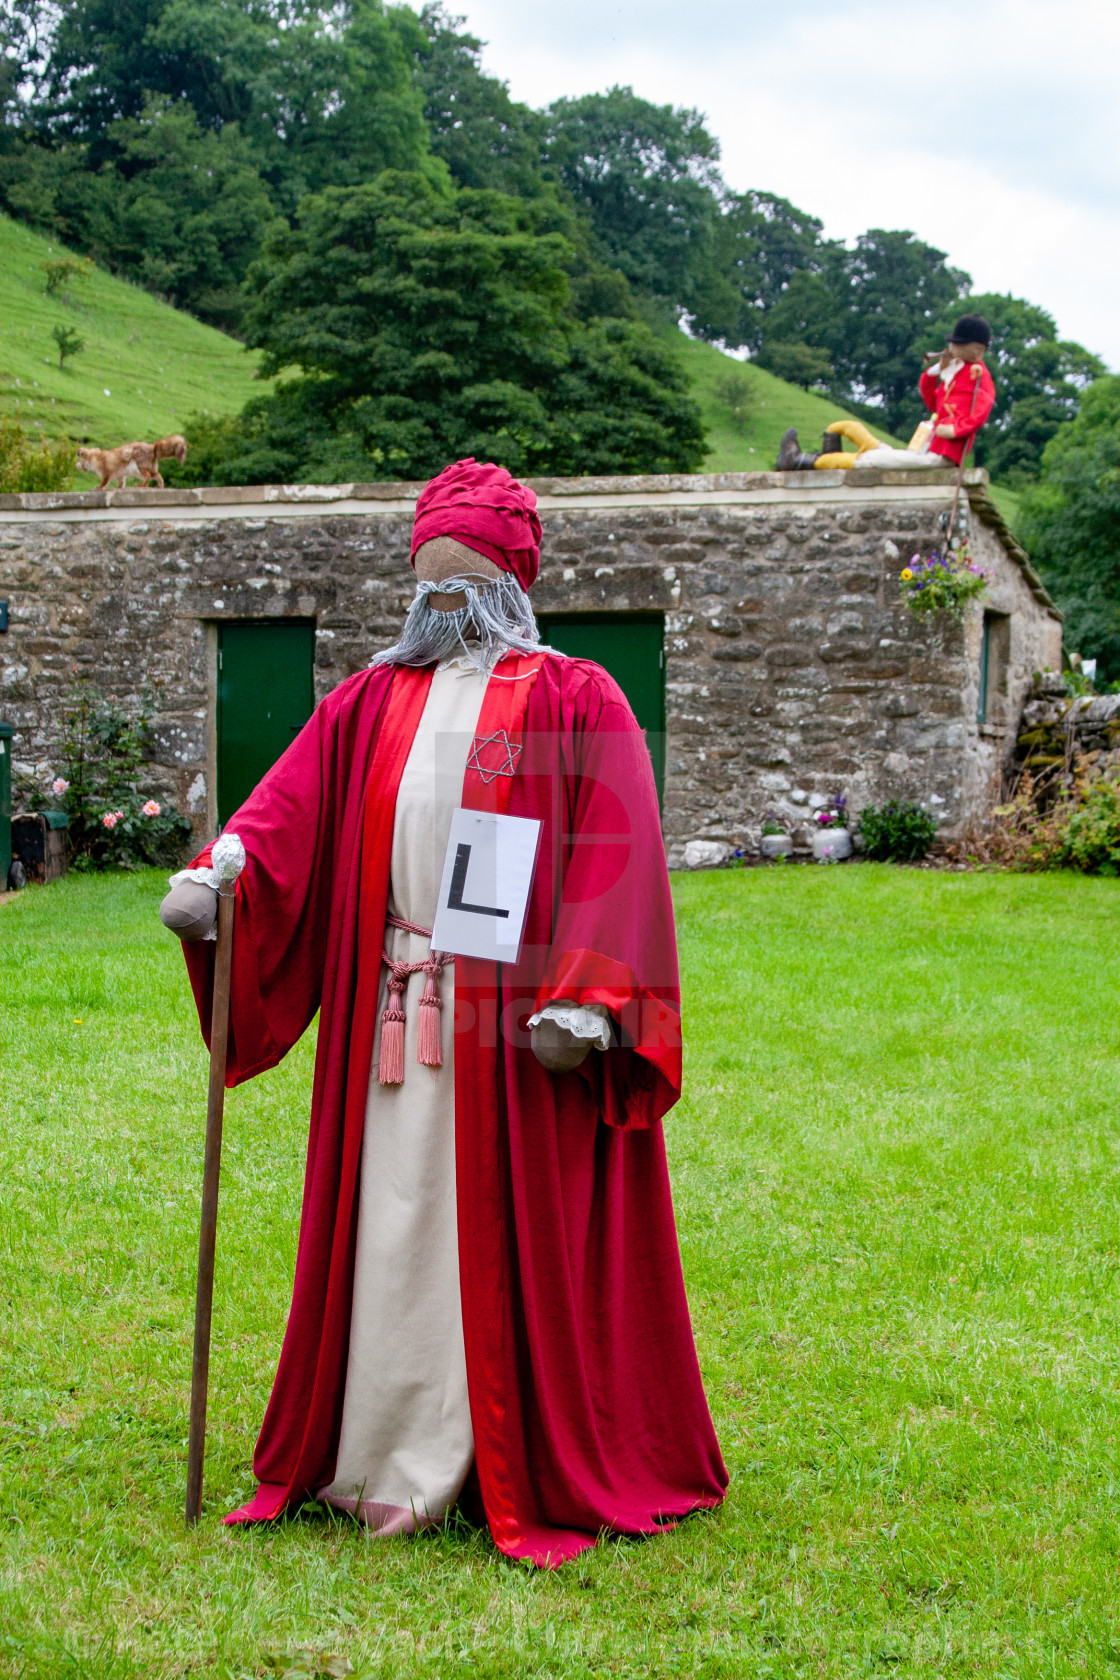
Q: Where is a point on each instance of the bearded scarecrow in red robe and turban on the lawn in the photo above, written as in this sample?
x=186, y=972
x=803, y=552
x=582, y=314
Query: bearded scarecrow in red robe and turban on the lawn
x=488, y=1294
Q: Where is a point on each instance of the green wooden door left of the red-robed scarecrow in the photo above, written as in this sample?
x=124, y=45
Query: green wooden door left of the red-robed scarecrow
x=266, y=695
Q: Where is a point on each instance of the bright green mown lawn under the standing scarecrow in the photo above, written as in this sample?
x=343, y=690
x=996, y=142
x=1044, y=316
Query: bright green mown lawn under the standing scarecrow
x=898, y=1190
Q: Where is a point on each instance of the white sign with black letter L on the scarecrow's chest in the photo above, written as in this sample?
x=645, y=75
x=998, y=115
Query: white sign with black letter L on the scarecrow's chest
x=484, y=893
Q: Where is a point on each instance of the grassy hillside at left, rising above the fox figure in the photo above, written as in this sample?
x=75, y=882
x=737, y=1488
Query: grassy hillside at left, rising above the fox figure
x=145, y=365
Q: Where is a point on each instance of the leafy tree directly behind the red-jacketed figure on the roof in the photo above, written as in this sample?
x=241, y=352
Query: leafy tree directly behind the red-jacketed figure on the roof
x=1039, y=382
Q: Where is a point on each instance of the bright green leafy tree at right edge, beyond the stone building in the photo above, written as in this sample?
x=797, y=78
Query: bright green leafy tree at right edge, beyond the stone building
x=1072, y=525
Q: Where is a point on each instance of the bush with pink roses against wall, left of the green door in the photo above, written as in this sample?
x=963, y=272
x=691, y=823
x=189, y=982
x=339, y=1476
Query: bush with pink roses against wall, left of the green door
x=113, y=824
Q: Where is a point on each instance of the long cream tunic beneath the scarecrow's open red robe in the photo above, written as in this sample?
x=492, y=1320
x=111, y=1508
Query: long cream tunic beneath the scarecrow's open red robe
x=407, y=1442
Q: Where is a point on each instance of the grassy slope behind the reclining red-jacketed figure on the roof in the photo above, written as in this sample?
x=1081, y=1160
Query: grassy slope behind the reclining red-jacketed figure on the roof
x=748, y=443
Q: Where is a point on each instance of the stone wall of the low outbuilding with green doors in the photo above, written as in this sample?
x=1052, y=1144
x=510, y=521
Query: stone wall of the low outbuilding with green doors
x=793, y=671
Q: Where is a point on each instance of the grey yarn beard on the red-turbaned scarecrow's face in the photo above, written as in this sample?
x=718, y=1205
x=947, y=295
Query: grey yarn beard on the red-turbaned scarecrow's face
x=496, y=621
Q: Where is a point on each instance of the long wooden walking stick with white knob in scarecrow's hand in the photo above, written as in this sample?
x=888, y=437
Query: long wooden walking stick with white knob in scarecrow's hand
x=228, y=863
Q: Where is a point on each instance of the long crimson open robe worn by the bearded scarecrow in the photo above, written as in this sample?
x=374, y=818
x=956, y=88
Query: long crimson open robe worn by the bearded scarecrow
x=585, y=1394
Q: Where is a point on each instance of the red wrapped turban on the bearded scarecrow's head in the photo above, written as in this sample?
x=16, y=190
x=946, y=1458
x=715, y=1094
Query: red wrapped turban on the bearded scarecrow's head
x=488, y=510
